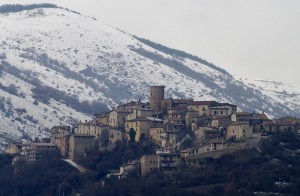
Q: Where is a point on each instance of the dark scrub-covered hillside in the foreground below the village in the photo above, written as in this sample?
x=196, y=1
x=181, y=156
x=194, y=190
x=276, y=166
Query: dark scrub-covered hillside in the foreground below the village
x=274, y=170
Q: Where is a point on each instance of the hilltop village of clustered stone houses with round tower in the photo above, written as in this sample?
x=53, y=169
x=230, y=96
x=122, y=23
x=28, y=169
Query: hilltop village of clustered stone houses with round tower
x=167, y=122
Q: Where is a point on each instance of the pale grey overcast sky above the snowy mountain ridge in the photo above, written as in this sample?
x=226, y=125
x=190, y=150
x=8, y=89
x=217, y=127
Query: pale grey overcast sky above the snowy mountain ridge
x=252, y=38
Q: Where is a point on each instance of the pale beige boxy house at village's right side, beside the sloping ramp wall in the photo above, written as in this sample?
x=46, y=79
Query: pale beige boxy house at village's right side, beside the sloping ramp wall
x=239, y=131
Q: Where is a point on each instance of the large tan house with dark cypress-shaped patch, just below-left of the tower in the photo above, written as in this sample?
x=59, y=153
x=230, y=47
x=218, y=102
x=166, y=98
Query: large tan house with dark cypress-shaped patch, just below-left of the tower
x=141, y=126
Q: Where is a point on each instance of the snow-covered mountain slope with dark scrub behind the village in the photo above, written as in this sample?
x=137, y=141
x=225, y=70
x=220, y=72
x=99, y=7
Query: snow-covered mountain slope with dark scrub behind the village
x=57, y=67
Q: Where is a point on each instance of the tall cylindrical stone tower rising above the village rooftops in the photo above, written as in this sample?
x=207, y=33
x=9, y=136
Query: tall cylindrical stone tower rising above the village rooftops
x=157, y=94
